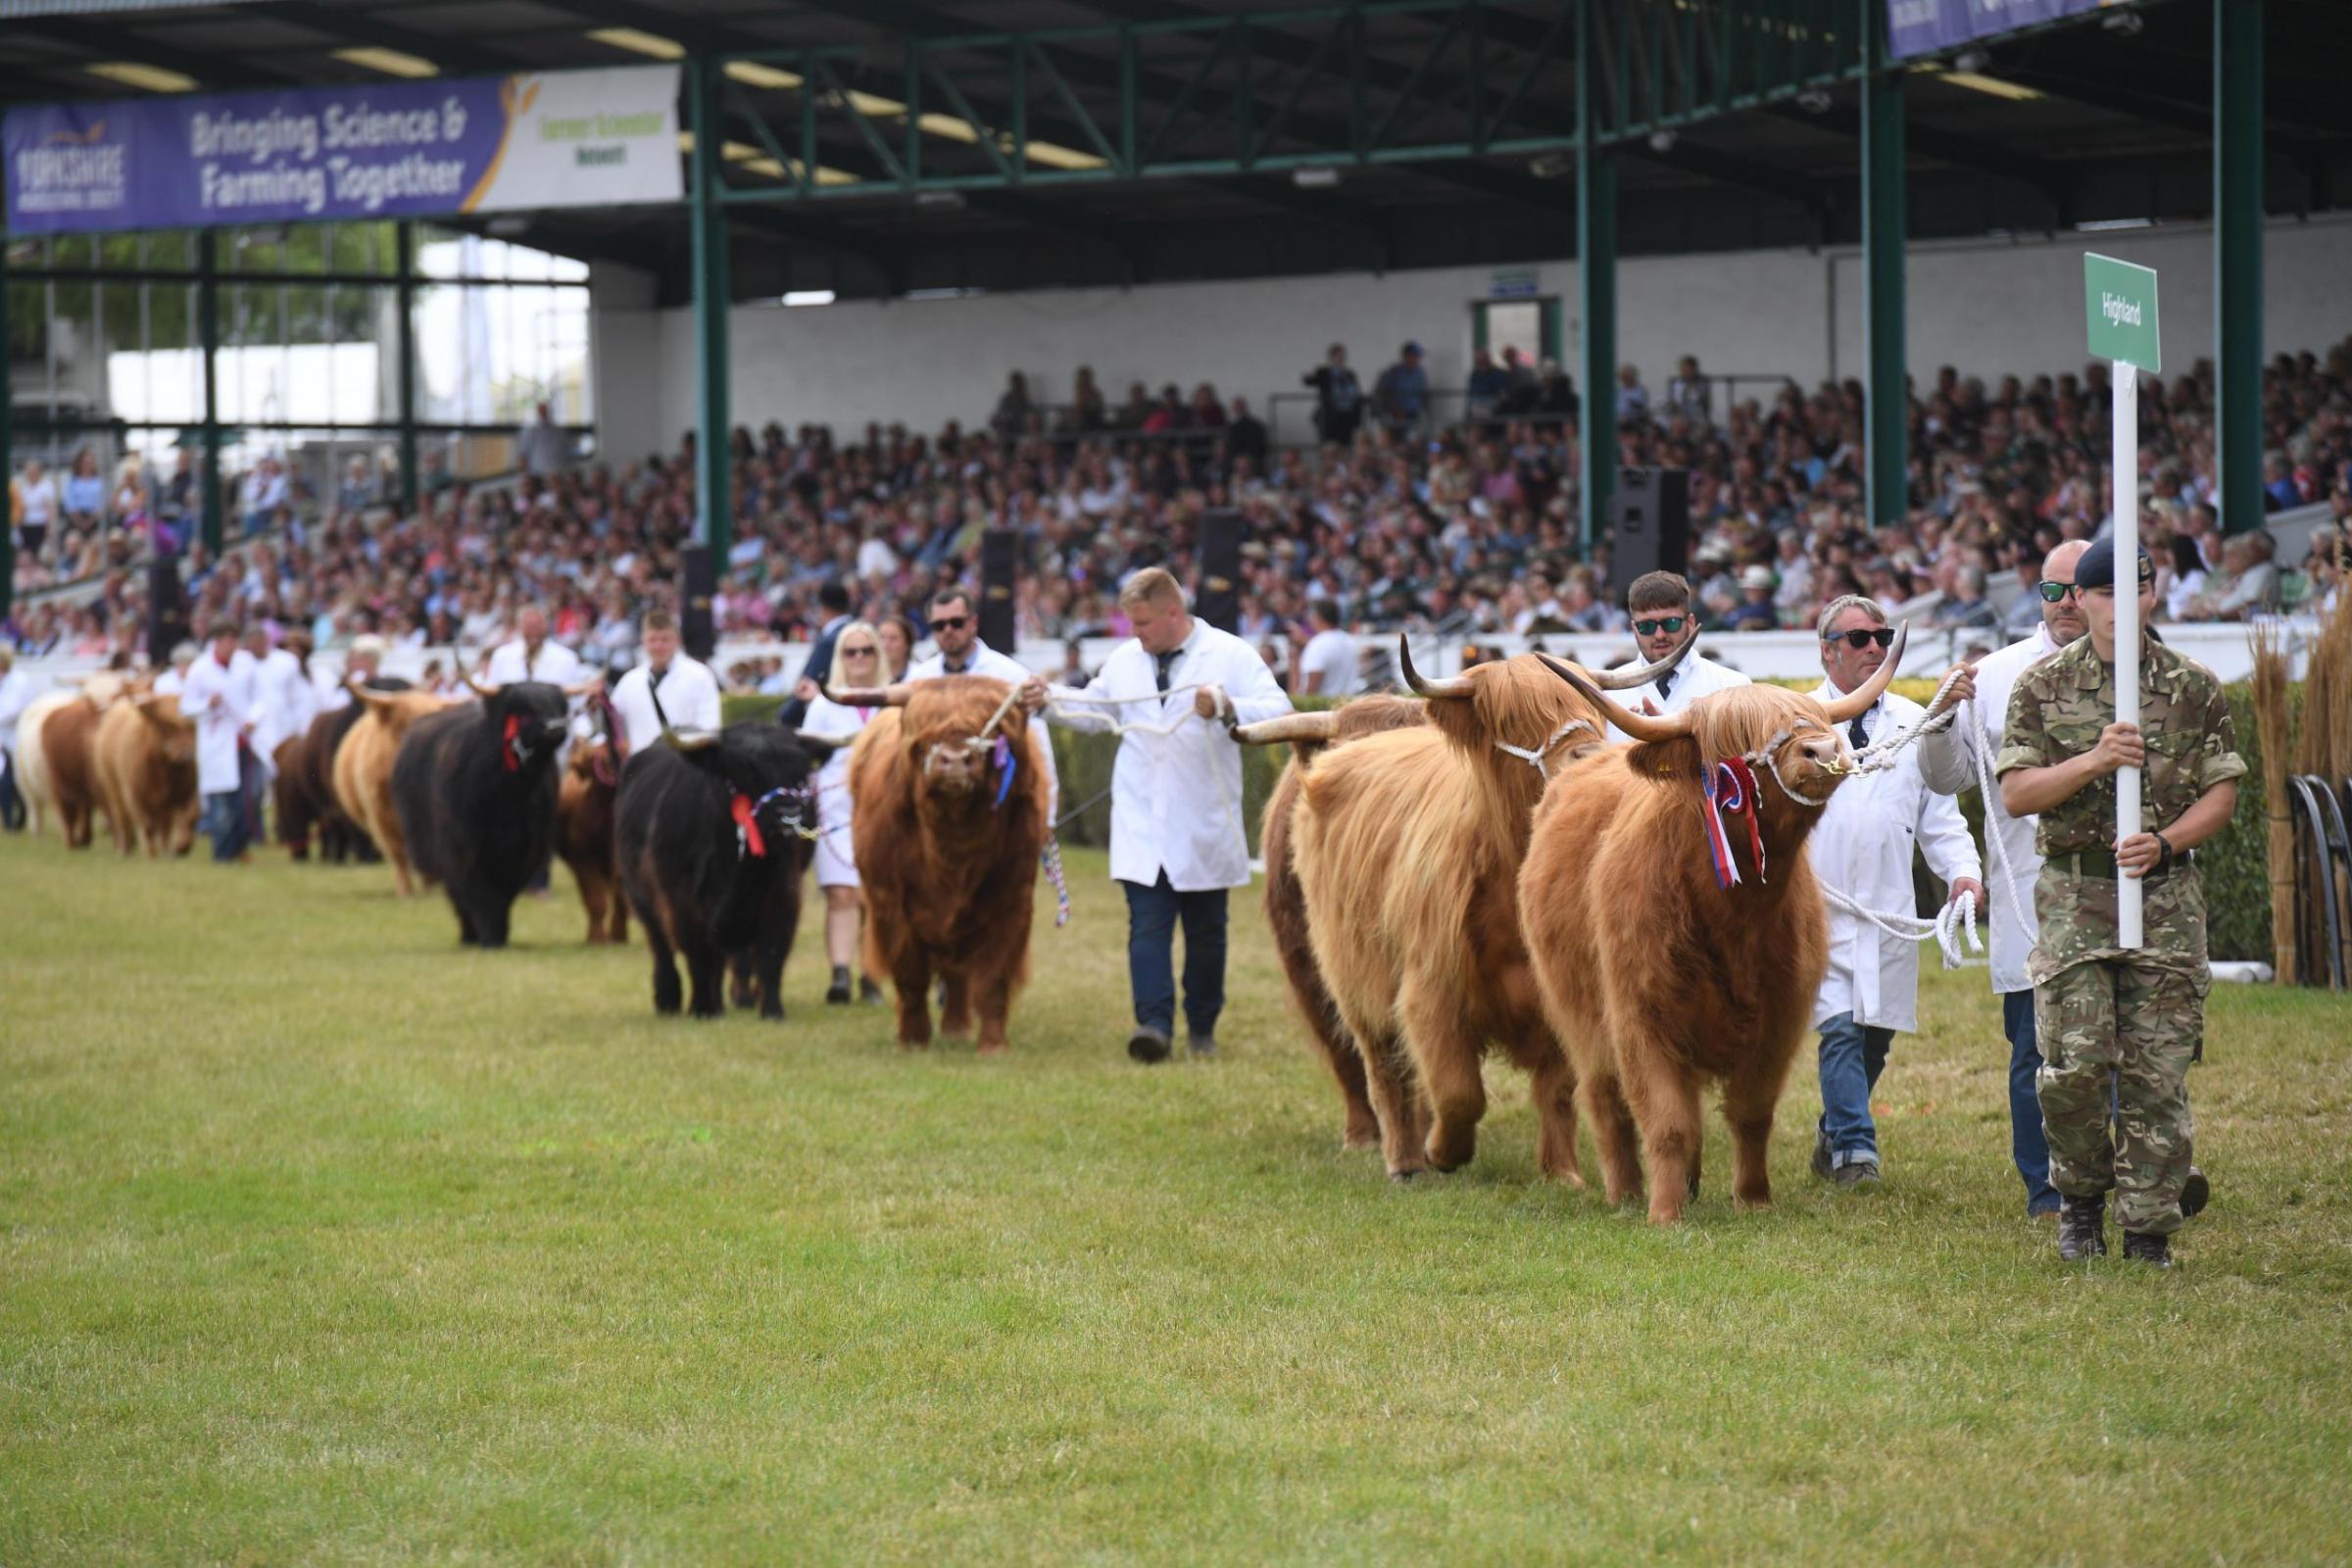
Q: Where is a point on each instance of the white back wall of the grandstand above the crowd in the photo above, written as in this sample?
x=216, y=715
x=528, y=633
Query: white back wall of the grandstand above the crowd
x=1984, y=307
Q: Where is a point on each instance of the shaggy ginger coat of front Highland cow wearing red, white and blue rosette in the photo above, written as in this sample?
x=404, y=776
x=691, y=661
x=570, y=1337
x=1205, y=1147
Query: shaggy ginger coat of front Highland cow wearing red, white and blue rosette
x=1690, y=984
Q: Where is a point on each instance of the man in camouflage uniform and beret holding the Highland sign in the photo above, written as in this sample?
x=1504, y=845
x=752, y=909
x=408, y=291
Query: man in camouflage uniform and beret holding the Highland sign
x=2132, y=1019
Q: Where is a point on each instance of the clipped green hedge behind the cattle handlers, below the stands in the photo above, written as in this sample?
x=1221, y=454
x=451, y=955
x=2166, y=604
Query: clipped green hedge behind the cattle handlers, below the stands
x=2236, y=864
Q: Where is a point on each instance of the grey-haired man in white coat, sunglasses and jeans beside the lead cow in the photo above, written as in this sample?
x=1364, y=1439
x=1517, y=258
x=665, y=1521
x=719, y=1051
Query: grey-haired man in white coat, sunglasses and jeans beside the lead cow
x=1864, y=850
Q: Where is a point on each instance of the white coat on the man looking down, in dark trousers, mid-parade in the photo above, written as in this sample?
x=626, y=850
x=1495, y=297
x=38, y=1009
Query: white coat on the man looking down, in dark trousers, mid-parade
x=1177, y=800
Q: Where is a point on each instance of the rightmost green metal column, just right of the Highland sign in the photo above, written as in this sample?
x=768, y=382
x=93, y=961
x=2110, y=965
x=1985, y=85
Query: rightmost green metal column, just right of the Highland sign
x=2238, y=260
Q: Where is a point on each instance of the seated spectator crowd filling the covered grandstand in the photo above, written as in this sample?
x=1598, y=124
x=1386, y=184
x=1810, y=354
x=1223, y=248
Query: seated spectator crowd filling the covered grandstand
x=1394, y=521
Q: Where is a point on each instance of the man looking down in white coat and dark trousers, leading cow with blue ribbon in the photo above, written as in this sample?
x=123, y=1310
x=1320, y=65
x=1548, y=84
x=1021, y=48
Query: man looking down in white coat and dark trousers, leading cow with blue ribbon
x=1177, y=840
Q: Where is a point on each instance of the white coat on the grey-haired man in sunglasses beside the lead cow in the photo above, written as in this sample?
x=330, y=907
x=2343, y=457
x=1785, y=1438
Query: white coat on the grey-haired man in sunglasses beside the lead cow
x=1864, y=850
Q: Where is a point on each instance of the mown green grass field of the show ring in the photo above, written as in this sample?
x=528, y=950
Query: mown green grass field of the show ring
x=333, y=1242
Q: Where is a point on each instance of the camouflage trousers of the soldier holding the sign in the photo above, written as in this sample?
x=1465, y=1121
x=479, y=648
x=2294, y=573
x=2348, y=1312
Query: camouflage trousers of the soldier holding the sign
x=2134, y=1021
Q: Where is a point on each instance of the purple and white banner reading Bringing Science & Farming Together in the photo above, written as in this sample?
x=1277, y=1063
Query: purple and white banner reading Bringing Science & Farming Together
x=373, y=152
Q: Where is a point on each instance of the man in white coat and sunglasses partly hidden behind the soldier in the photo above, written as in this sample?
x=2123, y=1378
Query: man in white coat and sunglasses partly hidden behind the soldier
x=1949, y=765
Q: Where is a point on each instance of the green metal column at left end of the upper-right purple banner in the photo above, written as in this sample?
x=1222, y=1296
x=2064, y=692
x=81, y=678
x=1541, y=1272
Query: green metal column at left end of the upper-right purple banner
x=1885, y=227
